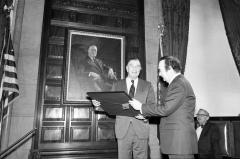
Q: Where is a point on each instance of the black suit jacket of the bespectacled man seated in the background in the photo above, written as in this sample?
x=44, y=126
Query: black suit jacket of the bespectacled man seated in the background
x=208, y=143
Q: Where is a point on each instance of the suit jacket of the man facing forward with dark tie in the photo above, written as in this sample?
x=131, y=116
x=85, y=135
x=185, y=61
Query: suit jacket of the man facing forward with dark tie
x=145, y=94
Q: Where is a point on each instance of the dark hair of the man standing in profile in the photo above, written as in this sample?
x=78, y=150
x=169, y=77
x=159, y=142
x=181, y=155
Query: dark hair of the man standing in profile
x=173, y=62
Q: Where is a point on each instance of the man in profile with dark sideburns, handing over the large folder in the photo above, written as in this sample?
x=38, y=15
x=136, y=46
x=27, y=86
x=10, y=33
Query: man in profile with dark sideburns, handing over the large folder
x=178, y=138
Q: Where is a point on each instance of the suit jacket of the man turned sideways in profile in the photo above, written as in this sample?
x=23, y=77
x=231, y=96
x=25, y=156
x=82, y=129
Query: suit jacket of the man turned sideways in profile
x=177, y=132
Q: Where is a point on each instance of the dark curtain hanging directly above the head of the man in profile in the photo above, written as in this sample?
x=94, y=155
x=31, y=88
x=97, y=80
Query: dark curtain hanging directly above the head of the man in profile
x=176, y=22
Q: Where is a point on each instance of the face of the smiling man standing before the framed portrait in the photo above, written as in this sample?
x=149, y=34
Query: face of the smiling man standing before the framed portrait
x=133, y=69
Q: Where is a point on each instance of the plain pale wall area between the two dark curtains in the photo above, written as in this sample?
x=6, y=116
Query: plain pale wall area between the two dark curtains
x=210, y=67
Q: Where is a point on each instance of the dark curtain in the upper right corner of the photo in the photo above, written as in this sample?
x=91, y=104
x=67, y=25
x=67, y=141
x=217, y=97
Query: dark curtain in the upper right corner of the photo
x=231, y=18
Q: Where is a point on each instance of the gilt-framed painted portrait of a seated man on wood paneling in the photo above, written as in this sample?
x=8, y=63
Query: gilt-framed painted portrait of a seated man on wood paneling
x=93, y=62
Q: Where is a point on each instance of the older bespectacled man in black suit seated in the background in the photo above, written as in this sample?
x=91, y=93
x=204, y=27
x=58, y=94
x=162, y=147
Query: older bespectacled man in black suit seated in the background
x=208, y=136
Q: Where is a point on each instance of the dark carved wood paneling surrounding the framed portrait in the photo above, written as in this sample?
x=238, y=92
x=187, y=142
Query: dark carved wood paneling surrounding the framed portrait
x=74, y=129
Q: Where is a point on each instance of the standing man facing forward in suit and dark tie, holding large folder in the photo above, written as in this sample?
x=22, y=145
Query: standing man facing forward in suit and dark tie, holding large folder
x=132, y=133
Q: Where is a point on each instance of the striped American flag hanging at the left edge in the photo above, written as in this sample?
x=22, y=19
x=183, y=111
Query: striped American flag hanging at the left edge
x=9, y=89
